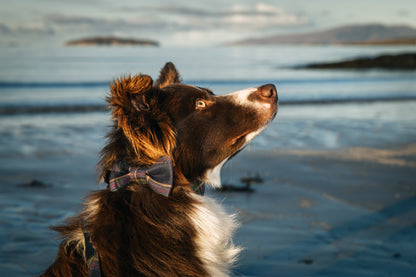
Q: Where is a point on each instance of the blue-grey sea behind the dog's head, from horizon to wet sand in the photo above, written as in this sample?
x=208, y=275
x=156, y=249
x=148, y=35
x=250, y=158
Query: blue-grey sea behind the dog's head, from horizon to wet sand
x=57, y=91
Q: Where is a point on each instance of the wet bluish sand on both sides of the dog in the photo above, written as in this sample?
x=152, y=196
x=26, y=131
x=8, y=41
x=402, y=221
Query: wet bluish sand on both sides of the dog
x=349, y=212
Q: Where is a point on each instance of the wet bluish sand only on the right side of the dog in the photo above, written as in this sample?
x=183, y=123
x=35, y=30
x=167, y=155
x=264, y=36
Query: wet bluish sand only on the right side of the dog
x=345, y=212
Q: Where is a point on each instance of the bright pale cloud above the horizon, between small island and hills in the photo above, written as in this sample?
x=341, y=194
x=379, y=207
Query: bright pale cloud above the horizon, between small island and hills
x=216, y=26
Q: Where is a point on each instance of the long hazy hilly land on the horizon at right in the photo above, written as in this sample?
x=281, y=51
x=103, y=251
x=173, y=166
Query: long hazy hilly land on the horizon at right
x=369, y=34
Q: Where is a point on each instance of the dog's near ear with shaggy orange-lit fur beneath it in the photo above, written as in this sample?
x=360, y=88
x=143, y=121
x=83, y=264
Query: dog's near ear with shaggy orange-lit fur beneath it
x=136, y=113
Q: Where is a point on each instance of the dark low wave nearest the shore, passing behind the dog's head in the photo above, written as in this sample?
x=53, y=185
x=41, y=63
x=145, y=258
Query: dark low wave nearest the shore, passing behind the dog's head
x=79, y=108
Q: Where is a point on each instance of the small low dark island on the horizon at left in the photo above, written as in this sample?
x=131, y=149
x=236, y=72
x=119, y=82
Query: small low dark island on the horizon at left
x=111, y=41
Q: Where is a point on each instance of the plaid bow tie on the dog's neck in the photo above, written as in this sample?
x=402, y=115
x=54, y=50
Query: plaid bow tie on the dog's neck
x=159, y=176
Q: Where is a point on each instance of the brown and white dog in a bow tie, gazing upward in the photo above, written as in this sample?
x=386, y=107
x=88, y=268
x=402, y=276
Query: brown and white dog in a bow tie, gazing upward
x=142, y=225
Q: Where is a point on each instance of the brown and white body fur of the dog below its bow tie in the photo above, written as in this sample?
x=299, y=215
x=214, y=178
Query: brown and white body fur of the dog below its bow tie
x=158, y=238
